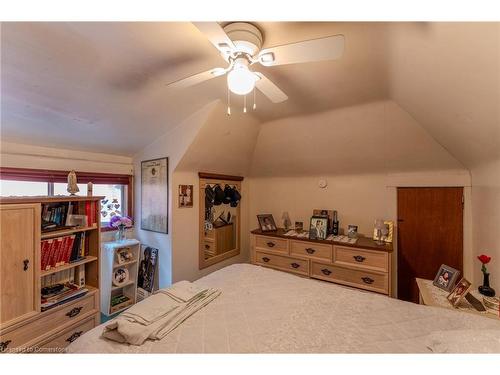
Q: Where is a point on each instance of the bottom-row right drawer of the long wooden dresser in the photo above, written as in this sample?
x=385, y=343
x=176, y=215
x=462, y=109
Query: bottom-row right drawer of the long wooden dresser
x=369, y=280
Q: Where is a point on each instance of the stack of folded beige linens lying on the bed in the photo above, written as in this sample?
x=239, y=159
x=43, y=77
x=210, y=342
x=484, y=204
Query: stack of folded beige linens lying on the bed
x=139, y=325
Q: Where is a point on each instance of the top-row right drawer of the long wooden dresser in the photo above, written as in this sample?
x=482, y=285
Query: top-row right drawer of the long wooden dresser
x=369, y=259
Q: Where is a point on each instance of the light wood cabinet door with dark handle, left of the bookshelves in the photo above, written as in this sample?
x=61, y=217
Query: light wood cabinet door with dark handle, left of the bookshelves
x=19, y=262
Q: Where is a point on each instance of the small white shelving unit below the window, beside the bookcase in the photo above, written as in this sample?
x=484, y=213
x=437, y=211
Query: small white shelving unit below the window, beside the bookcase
x=110, y=263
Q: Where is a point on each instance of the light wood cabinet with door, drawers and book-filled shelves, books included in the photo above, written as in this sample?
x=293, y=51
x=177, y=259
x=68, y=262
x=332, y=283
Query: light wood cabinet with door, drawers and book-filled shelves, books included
x=27, y=321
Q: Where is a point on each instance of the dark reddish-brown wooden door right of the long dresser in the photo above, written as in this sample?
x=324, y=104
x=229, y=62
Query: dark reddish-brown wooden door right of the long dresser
x=430, y=233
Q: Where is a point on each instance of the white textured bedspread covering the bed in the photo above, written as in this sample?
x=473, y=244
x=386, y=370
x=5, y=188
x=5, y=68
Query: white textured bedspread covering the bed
x=265, y=311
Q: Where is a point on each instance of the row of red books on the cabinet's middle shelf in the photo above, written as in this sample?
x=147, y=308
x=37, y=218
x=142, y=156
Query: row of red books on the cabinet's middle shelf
x=63, y=250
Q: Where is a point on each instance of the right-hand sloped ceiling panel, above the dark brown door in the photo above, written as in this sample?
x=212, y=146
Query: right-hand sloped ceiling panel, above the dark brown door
x=447, y=76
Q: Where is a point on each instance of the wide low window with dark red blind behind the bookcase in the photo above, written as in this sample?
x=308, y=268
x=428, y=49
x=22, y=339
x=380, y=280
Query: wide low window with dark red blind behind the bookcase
x=117, y=189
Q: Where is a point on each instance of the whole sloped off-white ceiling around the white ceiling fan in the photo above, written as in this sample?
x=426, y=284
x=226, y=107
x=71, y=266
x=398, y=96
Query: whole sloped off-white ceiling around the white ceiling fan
x=101, y=87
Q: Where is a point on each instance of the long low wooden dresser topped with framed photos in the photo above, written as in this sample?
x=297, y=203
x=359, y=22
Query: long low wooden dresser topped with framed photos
x=364, y=265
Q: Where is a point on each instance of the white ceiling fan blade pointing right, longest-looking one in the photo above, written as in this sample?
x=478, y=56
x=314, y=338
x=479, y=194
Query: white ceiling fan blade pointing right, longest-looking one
x=329, y=48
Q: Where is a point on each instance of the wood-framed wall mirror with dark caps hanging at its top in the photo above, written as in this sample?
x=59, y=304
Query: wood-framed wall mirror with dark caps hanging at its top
x=220, y=201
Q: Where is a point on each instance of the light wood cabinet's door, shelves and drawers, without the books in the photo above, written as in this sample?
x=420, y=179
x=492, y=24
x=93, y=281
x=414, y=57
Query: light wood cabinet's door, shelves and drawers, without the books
x=24, y=327
